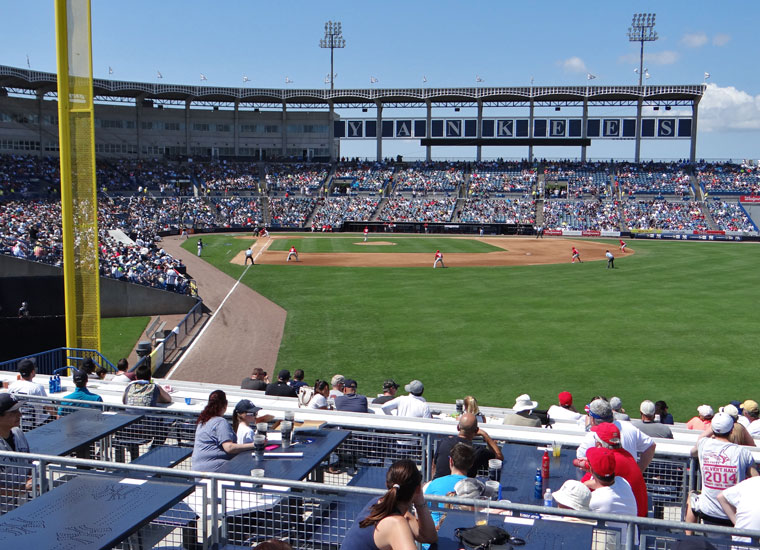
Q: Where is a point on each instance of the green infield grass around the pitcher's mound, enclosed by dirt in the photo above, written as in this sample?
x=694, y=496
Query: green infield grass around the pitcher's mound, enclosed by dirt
x=400, y=244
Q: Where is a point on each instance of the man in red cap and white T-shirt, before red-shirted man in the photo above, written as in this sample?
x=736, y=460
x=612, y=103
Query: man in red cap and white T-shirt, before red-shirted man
x=610, y=494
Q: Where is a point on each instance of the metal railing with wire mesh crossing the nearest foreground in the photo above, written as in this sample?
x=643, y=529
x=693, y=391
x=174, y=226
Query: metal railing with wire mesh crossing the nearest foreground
x=241, y=510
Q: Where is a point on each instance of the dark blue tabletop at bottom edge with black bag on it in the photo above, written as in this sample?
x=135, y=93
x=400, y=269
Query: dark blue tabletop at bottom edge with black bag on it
x=541, y=535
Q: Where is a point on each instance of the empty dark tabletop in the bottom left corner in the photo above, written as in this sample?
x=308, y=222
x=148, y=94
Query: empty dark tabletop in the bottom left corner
x=89, y=513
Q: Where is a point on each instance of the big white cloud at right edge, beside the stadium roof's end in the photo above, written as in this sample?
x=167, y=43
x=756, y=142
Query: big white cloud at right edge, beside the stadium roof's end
x=728, y=109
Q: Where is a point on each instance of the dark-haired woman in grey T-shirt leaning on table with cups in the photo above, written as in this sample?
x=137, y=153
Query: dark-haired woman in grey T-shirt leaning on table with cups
x=215, y=442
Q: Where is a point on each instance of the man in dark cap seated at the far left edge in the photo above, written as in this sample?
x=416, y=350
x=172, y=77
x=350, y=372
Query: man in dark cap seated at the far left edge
x=15, y=483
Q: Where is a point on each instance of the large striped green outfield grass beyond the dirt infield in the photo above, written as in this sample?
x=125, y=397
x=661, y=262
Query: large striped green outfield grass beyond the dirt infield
x=675, y=321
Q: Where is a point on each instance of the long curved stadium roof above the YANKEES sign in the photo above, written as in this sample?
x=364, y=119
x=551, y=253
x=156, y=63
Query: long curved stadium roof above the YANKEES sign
x=23, y=81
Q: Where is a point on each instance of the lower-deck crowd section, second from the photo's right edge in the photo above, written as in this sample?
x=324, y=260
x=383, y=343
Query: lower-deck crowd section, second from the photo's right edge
x=662, y=214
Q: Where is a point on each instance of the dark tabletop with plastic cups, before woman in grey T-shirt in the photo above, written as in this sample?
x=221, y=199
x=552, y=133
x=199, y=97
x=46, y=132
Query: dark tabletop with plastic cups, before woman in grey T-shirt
x=314, y=444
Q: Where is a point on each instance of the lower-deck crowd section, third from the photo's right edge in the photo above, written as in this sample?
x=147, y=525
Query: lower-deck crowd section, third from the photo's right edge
x=579, y=215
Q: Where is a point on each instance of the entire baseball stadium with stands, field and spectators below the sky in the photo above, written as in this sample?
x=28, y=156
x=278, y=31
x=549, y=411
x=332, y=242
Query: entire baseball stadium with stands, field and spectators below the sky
x=161, y=242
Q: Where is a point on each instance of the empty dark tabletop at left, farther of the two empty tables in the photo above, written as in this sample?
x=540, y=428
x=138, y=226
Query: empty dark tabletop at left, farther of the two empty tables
x=72, y=431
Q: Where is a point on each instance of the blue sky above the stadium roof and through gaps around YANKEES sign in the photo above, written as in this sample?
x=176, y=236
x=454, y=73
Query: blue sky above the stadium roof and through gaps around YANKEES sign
x=448, y=42
